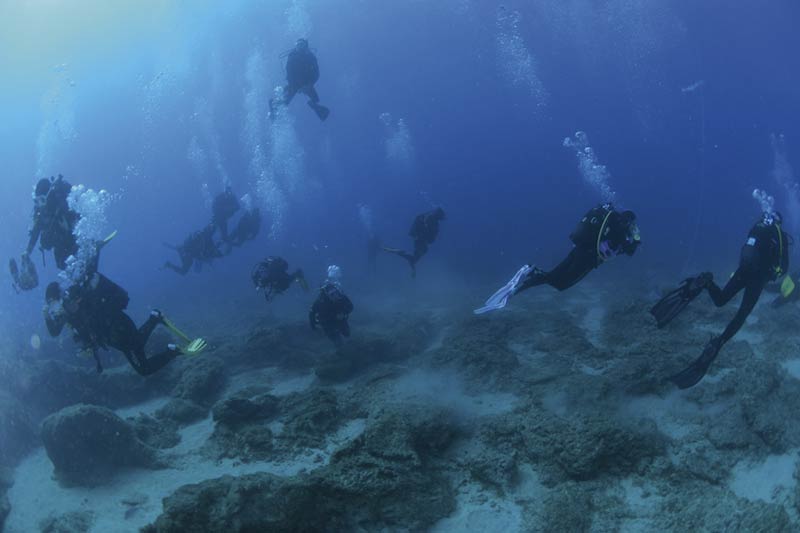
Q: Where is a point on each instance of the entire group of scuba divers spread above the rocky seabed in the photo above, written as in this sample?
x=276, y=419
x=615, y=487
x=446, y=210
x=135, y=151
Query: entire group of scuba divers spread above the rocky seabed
x=93, y=307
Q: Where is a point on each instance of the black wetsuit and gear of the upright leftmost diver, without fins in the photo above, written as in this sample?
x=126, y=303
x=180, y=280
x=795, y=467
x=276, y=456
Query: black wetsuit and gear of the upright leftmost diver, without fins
x=54, y=222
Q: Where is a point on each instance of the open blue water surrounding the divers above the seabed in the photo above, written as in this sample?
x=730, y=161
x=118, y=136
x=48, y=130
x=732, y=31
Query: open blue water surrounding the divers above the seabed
x=688, y=106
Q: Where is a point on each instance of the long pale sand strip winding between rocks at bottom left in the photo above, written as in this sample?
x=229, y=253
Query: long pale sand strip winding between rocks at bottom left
x=35, y=495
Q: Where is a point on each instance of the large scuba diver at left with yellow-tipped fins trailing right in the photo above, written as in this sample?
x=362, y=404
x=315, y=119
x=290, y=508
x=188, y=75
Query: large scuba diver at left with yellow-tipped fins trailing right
x=94, y=311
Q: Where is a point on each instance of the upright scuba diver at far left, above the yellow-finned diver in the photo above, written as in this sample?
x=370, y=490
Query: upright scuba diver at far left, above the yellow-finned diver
x=53, y=224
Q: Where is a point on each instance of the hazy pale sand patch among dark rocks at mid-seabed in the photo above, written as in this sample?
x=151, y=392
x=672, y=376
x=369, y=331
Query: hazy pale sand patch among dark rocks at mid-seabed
x=446, y=390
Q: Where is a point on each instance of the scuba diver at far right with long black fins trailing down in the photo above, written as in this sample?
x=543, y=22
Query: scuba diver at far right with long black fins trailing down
x=764, y=258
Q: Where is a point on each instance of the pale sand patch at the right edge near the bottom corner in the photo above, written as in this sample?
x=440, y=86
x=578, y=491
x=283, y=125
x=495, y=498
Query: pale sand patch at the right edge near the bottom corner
x=768, y=480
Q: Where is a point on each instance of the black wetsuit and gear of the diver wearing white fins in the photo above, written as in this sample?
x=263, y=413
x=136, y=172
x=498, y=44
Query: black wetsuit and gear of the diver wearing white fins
x=590, y=251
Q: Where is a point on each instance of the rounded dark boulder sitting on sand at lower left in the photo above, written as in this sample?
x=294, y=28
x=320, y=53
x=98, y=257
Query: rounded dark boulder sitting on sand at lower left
x=88, y=445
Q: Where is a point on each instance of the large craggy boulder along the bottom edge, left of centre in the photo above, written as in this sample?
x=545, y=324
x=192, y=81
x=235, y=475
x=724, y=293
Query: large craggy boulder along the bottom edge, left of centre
x=387, y=478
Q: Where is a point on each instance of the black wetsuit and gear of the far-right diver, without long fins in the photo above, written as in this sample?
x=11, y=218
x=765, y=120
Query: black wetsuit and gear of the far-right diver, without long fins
x=764, y=257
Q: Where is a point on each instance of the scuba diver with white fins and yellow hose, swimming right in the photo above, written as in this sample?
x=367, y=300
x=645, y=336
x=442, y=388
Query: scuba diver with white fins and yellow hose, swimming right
x=602, y=234
